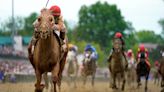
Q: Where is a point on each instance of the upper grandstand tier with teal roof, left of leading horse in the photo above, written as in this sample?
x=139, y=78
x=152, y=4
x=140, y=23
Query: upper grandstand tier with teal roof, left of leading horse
x=7, y=50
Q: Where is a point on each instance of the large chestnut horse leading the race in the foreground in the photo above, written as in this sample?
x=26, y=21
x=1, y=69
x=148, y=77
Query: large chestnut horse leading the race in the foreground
x=47, y=55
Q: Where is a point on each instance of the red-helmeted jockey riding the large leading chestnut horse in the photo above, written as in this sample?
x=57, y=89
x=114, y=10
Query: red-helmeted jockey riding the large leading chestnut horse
x=59, y=28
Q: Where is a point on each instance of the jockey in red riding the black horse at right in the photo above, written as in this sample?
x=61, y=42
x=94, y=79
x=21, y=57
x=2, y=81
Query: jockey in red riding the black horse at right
x=141, y=50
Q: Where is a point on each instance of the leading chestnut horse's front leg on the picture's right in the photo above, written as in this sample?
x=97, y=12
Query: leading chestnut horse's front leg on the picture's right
x=55, y=77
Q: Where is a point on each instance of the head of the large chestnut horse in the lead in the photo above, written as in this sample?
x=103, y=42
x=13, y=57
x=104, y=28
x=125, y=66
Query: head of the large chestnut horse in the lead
x=46, y=23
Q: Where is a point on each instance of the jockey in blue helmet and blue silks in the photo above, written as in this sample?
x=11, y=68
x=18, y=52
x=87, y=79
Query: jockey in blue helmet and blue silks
x=92, y=50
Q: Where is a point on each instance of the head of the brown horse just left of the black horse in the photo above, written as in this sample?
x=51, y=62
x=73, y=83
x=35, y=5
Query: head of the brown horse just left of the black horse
x=117, y=45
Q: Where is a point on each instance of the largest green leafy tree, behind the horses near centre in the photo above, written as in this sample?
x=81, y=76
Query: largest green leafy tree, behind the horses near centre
x=99, y=22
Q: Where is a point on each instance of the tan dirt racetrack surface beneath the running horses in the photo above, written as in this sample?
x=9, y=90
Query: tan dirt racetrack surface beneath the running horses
x=99, y=87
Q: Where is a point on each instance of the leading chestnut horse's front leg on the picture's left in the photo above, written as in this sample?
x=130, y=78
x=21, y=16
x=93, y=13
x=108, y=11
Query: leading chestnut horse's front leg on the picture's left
x=38, y=86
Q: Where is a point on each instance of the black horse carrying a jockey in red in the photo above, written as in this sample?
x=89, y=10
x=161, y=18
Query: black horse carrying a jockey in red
x=142, y=70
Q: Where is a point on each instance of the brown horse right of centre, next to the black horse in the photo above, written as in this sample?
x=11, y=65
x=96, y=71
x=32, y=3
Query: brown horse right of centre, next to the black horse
x=117, y=65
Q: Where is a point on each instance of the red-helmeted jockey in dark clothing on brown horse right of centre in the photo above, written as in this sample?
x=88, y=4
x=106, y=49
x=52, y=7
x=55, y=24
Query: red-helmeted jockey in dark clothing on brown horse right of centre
x=118, y=35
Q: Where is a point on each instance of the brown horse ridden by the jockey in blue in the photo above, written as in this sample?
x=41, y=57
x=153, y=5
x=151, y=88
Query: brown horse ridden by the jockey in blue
x=89, y=68
